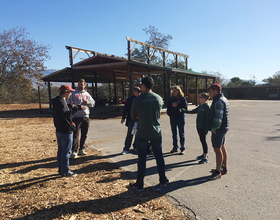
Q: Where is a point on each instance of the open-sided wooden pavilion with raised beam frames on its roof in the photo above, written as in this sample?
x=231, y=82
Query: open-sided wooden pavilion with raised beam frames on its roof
x=104, y=68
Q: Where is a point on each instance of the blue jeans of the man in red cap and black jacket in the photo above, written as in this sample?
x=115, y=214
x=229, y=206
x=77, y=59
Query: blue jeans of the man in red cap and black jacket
x=64, y=142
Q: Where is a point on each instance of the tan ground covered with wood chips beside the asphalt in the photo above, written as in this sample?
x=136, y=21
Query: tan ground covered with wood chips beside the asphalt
x=30, y=187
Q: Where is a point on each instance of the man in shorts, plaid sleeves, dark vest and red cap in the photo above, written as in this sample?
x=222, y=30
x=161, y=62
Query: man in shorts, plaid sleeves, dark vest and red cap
x=218, y=124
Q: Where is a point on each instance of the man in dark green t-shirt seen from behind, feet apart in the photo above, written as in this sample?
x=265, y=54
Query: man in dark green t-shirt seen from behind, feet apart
x=146, y=108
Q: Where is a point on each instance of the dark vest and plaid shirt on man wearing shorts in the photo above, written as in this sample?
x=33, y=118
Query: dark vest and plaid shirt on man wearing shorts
x=218, y=118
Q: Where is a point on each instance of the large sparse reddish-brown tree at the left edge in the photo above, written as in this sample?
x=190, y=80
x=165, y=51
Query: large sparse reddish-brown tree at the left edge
x=21, y=63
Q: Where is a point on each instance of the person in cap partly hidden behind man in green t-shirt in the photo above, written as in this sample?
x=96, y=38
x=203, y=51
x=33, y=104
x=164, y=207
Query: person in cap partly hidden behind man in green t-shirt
x=129, y=122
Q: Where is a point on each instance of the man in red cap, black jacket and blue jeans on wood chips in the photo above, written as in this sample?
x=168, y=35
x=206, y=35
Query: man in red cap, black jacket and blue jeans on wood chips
x=62, y=114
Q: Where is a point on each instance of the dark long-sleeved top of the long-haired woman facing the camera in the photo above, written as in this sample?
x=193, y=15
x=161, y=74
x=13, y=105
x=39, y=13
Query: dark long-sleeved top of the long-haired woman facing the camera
x=174, y=112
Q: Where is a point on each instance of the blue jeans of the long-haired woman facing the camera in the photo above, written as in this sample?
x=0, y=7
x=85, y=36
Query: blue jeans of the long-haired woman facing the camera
x=180, y=123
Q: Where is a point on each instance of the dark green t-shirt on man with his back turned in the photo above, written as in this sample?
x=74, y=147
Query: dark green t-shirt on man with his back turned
x=147, y=107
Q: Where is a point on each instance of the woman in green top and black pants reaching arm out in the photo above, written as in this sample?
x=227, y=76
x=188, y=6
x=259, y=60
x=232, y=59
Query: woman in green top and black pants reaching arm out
x=201, y=124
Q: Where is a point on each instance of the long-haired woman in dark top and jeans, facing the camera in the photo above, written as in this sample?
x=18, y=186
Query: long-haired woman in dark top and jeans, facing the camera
x=177, y=118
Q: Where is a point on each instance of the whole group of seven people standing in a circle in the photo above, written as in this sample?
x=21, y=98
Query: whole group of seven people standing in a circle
x=142, y=112
